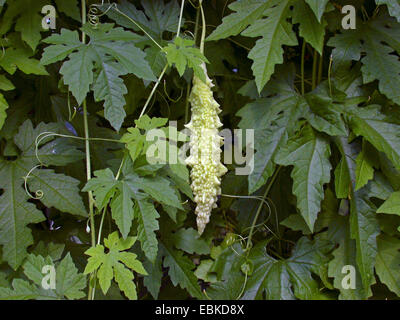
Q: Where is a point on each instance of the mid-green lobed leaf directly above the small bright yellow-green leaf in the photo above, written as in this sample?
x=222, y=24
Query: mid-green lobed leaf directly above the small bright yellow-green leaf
x=130, y=199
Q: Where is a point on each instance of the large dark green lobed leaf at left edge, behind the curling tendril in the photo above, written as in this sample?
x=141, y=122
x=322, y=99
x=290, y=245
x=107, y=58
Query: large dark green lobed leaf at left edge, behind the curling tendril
x=15, y=210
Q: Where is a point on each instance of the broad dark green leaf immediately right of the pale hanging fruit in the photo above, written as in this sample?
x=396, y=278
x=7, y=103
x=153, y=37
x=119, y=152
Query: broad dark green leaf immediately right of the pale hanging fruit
x=274, y=119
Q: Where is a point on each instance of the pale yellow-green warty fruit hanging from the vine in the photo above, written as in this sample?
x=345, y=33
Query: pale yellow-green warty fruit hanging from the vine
x=205, y=149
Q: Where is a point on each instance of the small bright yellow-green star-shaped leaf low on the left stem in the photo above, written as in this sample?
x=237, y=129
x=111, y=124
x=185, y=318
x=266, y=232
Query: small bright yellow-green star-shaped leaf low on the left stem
x=115, y=264
